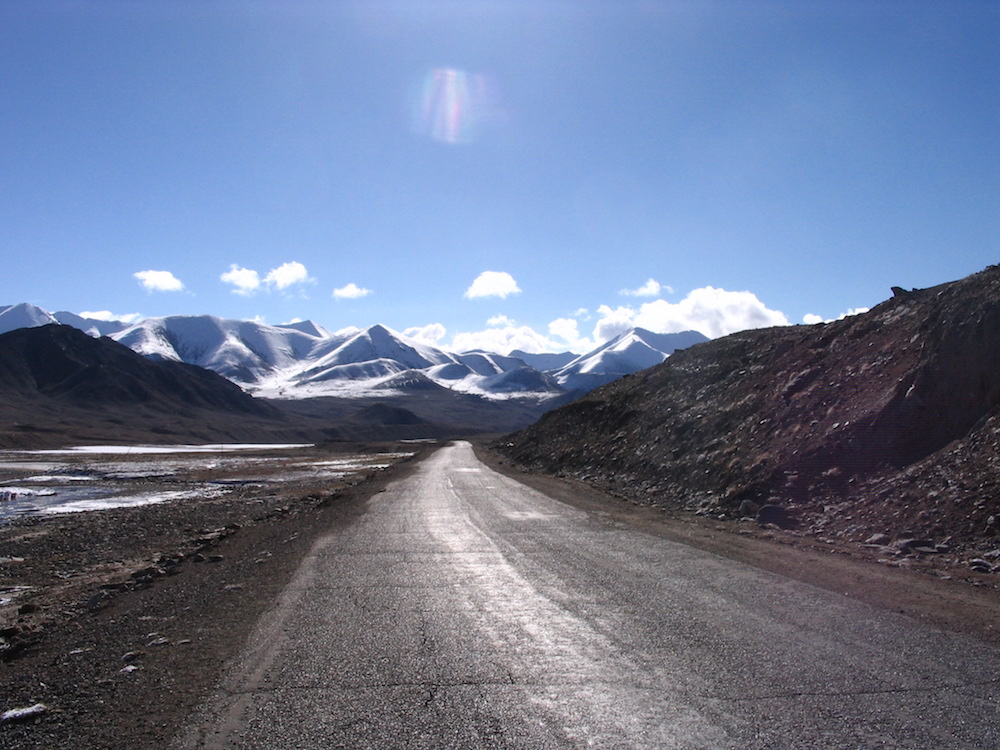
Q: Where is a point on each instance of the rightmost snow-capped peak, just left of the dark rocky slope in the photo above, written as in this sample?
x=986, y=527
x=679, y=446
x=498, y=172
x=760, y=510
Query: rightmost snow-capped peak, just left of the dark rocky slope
x=629, y=352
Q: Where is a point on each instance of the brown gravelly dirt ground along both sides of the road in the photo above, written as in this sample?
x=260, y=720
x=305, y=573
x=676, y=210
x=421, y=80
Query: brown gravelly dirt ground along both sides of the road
x=134, y=612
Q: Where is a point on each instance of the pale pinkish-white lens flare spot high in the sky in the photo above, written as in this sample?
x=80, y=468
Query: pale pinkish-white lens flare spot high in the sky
x=452, y=106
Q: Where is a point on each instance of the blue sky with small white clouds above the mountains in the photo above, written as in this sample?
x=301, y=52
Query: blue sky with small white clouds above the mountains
x=711, y=165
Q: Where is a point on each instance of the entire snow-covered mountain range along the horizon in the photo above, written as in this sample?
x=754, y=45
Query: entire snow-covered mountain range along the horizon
x=304, y=360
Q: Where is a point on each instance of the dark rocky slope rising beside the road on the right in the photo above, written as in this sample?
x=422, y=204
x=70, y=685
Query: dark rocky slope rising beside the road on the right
x=885, y=422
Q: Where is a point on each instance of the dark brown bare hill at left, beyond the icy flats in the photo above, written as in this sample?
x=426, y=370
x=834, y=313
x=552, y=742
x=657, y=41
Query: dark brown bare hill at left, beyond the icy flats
x=59, y=385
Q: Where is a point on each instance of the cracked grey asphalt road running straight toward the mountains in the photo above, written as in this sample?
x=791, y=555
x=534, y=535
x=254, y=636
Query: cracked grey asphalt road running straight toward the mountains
x=465, y=610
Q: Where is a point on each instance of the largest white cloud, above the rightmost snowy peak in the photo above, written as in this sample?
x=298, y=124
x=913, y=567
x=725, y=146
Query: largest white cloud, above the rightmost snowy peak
x=713, y=312
